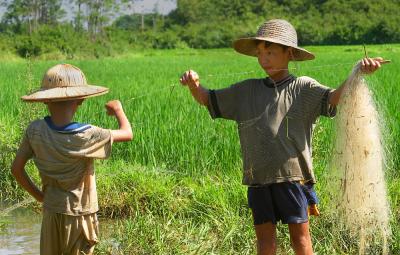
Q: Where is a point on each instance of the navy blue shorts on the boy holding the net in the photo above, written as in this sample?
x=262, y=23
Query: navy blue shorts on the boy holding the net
x=284, y=202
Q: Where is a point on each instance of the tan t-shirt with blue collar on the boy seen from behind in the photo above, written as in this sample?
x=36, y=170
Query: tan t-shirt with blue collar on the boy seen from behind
x=64, y=157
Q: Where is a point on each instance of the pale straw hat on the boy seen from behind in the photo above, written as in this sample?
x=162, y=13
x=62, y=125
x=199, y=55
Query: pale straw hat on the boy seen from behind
x=64, y=82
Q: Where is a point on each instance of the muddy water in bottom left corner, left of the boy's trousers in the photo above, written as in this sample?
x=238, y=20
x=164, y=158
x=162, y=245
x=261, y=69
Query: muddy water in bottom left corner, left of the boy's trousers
x=20, y=232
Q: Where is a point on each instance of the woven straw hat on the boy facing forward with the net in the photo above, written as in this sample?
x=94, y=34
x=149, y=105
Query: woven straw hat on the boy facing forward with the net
x=275, y=31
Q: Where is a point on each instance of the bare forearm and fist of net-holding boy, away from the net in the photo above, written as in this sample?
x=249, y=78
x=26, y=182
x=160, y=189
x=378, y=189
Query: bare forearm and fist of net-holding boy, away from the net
x=191, y=79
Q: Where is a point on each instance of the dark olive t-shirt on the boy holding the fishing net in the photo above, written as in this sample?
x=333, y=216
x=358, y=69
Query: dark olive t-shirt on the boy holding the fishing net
x=275, y=123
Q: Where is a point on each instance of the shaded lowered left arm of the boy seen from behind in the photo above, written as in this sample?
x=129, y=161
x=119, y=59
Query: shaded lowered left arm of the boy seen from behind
x=18, y=171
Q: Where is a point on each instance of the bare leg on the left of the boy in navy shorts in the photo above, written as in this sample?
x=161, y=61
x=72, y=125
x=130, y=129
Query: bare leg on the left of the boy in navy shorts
x=266, y=238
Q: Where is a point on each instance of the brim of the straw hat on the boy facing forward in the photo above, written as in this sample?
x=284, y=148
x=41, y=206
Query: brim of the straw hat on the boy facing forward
x=248, y=46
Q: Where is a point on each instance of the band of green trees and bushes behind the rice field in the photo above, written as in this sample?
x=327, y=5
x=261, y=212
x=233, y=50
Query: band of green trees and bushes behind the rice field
x=196, y=24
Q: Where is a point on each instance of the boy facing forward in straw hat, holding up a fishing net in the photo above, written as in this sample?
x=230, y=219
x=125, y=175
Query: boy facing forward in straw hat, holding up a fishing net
x=275, y=117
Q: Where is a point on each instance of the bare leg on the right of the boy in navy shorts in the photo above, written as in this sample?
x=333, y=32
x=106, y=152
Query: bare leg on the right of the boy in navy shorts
x=300, y=238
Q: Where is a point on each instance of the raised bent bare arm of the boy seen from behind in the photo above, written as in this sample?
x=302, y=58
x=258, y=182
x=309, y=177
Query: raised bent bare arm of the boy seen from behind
x=124, y=133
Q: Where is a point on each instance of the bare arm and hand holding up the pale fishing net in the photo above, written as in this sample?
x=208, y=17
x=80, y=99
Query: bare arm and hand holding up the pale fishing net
x=367, y=66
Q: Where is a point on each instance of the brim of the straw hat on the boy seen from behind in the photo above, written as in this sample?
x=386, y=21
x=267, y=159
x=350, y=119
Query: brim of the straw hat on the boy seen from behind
x=65, y=93
